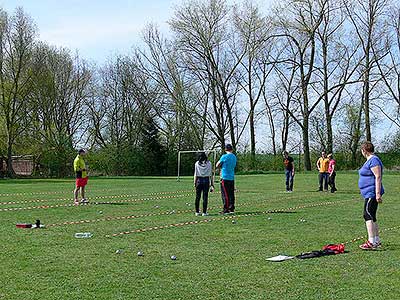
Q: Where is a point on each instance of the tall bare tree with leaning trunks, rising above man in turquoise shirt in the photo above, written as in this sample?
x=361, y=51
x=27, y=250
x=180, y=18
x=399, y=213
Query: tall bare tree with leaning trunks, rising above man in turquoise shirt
x=203, y=35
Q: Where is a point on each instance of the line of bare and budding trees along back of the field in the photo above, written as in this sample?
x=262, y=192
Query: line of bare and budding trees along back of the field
x=303, y=76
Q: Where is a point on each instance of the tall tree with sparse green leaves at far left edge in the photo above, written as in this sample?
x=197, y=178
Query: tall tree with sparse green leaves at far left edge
x=17, y=39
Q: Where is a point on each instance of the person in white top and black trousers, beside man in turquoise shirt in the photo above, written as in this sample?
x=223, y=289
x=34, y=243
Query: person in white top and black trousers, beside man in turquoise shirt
x=202, y=181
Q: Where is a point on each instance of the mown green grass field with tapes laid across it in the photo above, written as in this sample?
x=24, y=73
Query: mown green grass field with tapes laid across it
x=216, y=259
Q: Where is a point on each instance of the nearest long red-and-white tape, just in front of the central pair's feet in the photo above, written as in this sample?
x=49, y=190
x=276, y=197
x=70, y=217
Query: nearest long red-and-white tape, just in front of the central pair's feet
x=224, y=218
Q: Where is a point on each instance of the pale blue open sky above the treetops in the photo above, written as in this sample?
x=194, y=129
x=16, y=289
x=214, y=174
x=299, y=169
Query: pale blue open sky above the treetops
x=97, y=28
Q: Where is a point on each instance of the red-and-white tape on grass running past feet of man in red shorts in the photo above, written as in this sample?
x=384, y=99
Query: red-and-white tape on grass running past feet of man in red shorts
x=94, y=203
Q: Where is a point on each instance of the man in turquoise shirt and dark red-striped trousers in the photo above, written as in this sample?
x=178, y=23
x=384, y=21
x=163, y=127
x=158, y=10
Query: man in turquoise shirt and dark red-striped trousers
x=227, y=163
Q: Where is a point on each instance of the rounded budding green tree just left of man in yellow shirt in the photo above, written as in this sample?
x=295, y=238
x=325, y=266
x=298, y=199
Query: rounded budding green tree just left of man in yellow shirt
x=57, y=101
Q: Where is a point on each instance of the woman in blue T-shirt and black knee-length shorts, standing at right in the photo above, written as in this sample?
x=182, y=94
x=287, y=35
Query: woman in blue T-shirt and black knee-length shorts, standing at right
x=371, y=188
